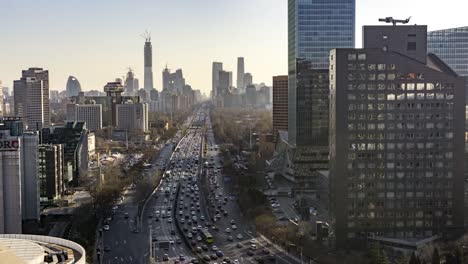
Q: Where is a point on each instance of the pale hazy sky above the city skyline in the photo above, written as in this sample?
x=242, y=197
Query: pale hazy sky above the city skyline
x=97, y=40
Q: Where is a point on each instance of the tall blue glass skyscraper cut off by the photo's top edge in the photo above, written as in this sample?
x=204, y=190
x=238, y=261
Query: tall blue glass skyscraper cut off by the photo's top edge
x=314, y=28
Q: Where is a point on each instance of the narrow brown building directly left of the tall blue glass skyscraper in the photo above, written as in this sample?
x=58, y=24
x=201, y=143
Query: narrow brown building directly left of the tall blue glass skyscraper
x=280, y=104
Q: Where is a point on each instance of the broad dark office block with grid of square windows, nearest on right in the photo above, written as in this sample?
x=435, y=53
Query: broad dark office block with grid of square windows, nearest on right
x=396, y=140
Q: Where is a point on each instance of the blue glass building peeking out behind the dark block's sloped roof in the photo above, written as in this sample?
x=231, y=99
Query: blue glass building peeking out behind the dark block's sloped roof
x=451, y=46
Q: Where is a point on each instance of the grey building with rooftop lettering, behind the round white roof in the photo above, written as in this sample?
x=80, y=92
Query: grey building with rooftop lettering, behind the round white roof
x=19, y=183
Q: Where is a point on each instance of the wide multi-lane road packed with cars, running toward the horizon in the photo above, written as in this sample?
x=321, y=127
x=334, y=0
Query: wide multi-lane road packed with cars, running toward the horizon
x=191, y=217
